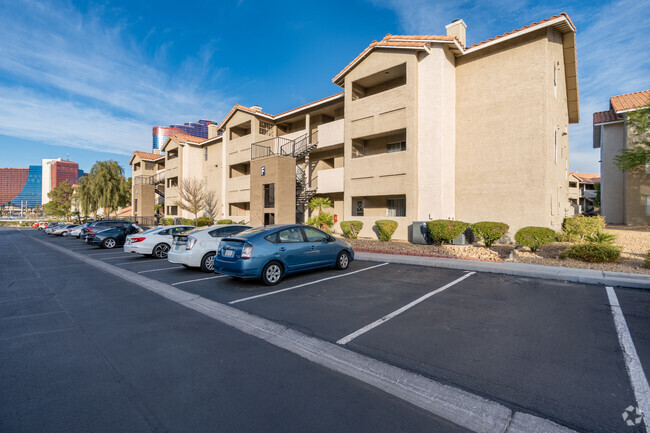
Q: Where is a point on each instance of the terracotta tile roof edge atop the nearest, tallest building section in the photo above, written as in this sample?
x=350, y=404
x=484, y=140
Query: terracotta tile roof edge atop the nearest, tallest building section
x=562, y=20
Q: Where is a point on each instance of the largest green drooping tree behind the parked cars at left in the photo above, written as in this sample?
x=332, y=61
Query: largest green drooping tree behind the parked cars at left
x=109, y=186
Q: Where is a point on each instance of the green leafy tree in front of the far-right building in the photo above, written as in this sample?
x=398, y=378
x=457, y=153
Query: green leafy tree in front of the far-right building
x=639, y=155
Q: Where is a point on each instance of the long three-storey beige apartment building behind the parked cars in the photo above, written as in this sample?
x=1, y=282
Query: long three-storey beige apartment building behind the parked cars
x=425, y=127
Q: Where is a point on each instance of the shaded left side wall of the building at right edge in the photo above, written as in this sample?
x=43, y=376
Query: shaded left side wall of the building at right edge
x=612, y=189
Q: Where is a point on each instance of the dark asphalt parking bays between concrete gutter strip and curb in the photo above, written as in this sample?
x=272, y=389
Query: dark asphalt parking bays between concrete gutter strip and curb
x=546, y=348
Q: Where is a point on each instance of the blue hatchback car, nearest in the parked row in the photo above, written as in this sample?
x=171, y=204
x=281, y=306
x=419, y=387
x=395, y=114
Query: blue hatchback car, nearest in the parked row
x=270, y=252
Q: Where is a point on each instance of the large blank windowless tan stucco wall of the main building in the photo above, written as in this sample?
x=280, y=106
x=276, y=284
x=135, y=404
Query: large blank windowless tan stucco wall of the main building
x=502, y=134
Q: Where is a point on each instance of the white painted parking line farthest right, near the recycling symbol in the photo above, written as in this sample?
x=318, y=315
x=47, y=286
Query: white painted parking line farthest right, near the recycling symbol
x=632, y=362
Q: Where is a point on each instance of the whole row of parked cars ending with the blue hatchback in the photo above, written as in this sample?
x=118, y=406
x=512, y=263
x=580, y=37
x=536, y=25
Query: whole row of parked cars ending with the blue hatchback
x=241, y=251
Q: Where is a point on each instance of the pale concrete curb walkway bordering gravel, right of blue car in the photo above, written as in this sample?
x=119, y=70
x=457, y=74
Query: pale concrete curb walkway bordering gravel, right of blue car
x=588, y=276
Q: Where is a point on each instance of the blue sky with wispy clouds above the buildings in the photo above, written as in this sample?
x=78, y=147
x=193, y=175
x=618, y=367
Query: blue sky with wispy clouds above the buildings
x=90, y=79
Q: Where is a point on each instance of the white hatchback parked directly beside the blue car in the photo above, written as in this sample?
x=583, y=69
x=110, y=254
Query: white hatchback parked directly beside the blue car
x=196, y=248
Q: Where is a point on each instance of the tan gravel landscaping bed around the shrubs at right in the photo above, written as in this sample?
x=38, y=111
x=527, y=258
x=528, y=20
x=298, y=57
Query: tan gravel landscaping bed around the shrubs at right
x=635, y=243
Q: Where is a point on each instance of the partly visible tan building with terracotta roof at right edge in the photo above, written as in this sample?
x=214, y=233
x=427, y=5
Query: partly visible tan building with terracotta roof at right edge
x=625, y=196
